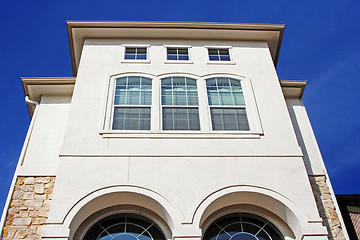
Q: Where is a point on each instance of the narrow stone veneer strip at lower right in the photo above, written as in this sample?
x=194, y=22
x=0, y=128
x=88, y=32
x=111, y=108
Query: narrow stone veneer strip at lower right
x=326, y=207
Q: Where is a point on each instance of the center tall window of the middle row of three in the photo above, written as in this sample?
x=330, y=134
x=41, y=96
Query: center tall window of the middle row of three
x=180, y=107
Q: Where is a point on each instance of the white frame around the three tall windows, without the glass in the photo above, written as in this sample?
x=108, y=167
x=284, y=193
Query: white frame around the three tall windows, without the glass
x=255, y=126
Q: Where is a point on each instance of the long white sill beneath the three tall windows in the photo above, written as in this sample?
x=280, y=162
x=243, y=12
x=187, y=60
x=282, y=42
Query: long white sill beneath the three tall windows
x=181, y=134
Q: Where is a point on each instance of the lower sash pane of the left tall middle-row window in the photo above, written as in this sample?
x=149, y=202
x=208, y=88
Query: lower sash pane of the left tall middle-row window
x=131, y=118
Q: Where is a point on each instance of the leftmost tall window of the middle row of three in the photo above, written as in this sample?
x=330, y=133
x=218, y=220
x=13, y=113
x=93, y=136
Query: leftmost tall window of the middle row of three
x=132, y=103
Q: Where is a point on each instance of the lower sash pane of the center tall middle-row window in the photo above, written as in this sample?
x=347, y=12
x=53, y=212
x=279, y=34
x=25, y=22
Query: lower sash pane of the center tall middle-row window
x=181, y=119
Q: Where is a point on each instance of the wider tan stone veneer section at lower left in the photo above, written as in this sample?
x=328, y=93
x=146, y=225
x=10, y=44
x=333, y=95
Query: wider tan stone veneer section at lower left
x=29, y=208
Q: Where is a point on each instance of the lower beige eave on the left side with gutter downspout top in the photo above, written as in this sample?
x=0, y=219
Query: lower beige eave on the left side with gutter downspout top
x=34, y=88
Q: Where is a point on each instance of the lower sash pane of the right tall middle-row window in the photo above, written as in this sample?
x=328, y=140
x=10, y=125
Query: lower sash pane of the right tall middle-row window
x=229, y=119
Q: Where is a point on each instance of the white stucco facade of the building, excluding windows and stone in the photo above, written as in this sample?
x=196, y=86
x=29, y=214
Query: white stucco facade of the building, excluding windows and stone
x=181, y=180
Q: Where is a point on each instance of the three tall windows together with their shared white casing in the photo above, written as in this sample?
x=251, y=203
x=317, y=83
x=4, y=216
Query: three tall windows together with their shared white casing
x=180, y=104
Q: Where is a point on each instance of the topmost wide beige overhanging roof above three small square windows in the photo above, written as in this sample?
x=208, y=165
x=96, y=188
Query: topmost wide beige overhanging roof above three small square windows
x=78, y=31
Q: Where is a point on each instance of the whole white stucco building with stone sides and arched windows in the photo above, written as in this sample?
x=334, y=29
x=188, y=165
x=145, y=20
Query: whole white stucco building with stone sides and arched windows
x=170, y=131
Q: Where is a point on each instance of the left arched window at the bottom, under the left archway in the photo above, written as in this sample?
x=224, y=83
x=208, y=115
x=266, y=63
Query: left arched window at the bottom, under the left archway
x=124, y=227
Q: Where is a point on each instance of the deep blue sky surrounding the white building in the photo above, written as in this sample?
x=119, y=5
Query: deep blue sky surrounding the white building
x=321, y=44
